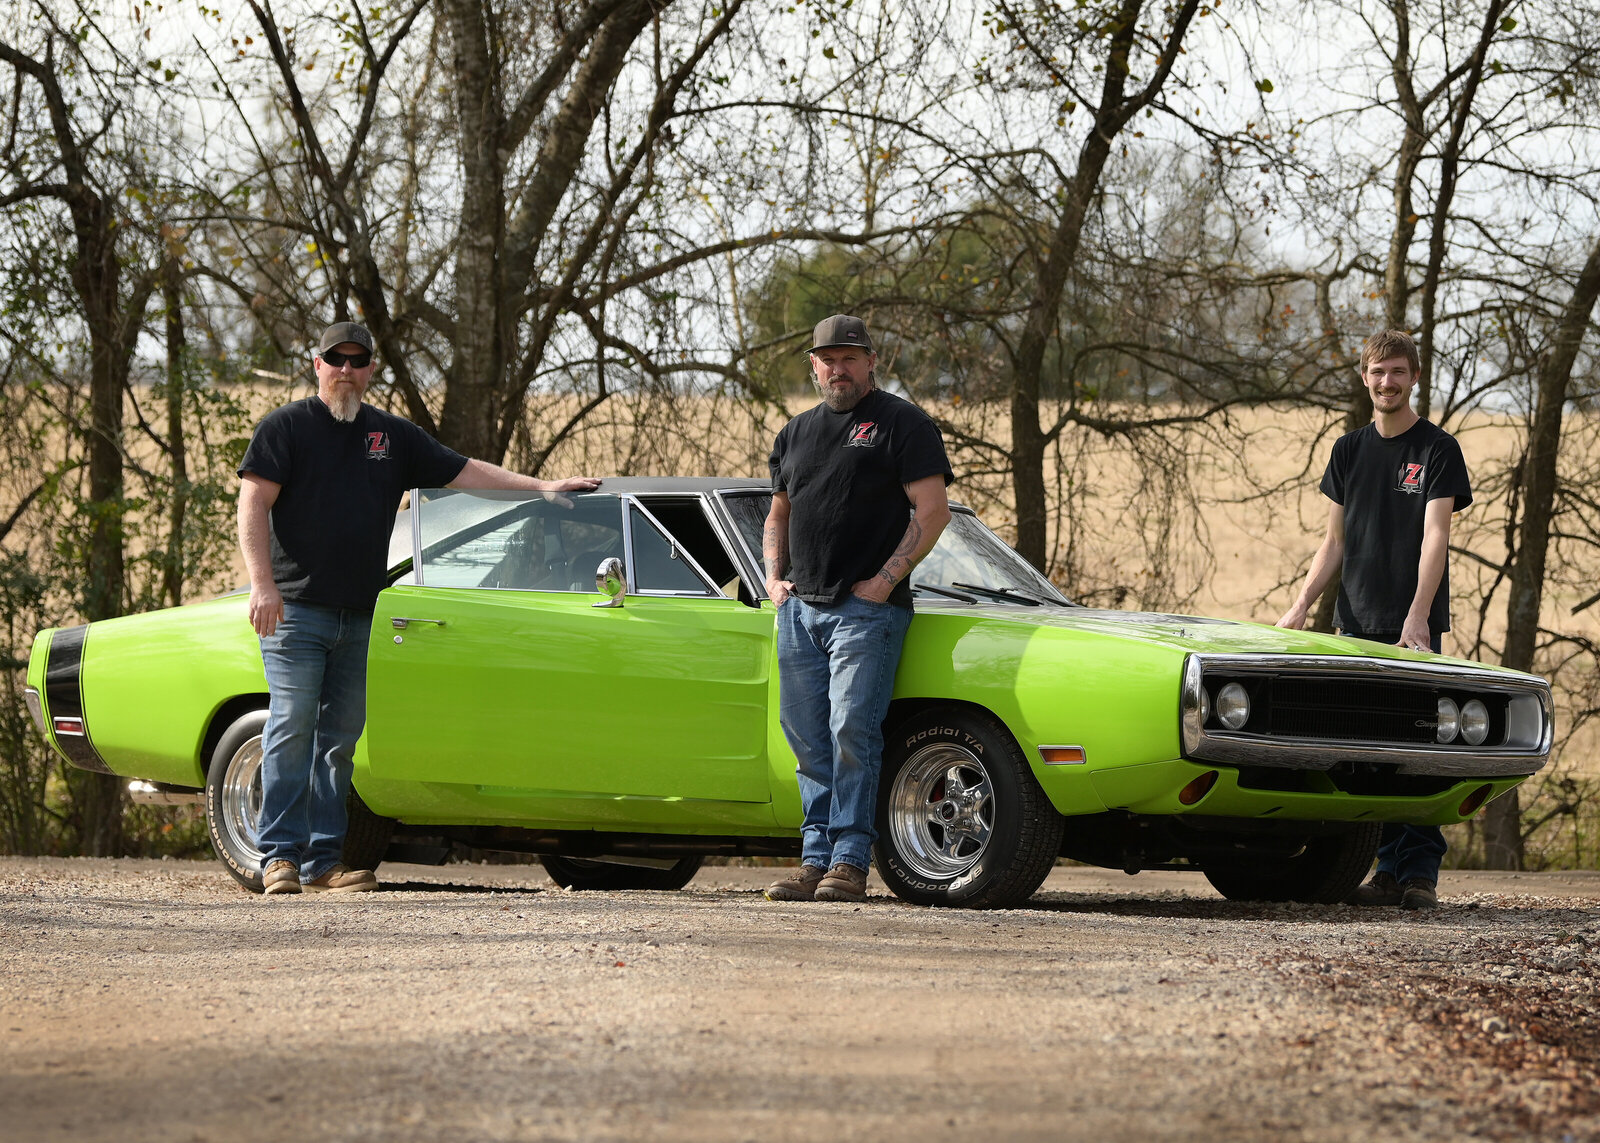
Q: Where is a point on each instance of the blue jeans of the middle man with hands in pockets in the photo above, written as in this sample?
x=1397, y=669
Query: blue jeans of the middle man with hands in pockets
x=836, y=675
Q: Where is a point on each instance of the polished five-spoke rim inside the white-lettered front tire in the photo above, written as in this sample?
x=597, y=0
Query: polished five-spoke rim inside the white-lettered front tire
x=942, y=811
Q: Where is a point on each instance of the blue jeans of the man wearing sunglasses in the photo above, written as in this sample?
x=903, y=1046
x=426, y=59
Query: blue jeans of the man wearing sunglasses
x=318, y=684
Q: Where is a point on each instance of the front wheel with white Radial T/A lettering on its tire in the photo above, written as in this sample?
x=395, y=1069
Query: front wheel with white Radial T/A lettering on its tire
x=961, y=817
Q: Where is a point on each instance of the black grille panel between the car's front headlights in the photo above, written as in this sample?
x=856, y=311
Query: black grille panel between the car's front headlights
x=1348, y=710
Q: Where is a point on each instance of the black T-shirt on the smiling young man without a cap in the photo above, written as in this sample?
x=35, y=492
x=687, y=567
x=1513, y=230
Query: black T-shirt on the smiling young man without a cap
x=1385, y=486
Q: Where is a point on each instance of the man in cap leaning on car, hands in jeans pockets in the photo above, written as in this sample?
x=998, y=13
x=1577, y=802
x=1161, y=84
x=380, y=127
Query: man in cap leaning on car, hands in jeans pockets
x=858, y=500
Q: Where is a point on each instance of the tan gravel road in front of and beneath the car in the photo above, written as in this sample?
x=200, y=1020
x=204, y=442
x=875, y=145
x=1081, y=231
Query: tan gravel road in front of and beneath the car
x=156, y=1001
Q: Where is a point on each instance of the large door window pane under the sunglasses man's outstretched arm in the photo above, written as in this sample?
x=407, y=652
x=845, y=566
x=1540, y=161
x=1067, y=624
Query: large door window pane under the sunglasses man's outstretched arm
x=519, y=543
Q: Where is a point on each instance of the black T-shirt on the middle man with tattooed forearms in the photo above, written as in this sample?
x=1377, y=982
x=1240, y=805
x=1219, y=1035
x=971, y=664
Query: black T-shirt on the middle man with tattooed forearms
x=846, y=476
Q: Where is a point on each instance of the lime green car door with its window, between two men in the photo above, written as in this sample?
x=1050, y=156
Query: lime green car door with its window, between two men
x=492, y=667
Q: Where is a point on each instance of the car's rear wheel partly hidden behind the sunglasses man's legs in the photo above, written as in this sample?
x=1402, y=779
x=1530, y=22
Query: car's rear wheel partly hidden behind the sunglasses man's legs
x=233, y=808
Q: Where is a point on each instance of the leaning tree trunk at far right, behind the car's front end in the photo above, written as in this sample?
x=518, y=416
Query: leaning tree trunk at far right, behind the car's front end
x=1503, y=840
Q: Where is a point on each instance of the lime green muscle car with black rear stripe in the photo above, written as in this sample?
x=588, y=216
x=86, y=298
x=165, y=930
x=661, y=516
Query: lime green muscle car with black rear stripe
x=593, y=680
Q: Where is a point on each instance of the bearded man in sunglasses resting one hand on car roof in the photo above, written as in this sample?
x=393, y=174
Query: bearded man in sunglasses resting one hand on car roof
x=321, y=486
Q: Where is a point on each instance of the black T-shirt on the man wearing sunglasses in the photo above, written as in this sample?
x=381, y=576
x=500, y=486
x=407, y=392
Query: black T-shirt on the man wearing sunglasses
x=342, y=486
